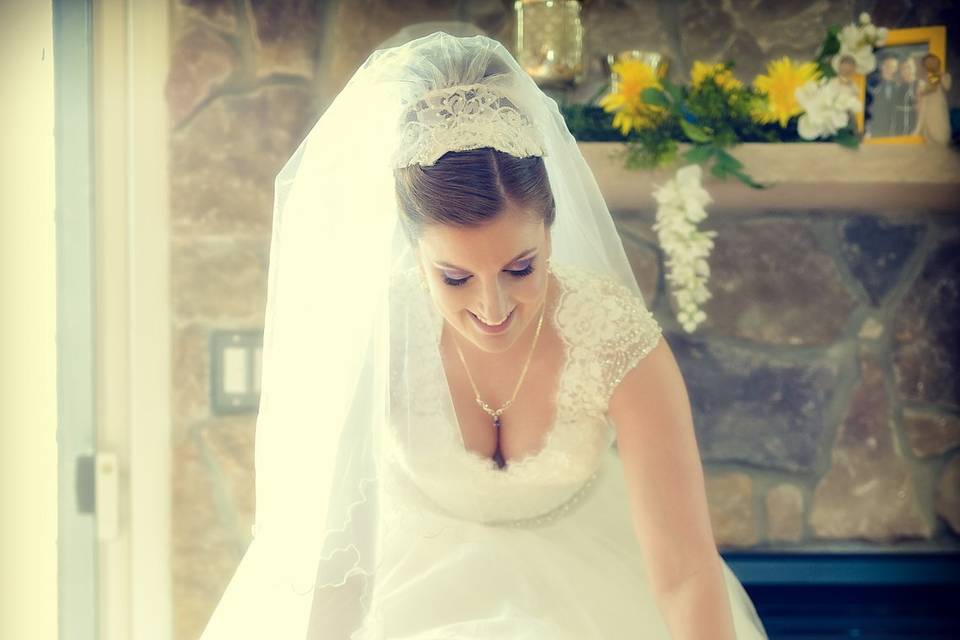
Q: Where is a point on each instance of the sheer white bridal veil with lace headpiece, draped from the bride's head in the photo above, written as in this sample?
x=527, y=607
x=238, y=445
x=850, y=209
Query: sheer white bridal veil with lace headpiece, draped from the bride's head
x=329, y=347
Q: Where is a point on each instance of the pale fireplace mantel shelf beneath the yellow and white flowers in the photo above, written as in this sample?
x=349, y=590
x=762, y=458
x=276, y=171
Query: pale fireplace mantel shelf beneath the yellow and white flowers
x=805, y=176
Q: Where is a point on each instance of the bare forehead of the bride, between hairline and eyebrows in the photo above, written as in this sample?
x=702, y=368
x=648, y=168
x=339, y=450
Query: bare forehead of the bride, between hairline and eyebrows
x=492, y=244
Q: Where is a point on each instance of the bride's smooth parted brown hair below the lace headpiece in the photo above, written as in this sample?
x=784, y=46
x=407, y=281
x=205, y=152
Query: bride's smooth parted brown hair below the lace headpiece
x=470, y=188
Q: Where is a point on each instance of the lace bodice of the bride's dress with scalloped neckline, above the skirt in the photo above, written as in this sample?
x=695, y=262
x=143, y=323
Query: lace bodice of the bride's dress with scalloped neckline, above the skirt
x=606, y=330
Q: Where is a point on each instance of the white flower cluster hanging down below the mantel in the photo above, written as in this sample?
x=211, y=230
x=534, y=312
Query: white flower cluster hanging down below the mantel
x=681, y=205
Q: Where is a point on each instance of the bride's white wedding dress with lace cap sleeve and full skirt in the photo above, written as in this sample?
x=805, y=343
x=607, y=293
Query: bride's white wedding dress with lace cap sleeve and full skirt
x=543, y=549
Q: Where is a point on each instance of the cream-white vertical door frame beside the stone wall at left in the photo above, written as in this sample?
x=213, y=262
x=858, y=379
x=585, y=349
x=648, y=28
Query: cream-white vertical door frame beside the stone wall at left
x=130, y=63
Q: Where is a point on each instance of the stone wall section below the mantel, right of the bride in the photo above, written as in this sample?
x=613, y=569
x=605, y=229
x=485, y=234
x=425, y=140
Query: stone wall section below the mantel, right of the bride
x=824, y=381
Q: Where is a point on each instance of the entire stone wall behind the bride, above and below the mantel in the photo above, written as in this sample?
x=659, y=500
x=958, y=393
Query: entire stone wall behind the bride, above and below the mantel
x=823, y=385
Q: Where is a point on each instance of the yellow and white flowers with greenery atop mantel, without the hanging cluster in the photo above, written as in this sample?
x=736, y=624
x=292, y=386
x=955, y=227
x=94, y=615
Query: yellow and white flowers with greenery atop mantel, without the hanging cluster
x=793, y=100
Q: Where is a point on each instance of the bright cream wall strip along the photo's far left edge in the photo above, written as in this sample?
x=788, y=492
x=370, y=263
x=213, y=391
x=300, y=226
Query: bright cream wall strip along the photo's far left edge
x=28, y=394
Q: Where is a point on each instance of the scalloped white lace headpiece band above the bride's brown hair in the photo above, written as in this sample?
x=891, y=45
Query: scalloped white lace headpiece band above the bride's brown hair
x=465, y=117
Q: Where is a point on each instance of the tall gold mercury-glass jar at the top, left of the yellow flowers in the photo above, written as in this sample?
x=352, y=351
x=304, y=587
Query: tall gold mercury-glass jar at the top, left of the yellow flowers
x=549, y=43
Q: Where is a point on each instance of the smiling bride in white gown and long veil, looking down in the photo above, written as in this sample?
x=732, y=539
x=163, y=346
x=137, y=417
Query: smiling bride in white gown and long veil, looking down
x=470, y=424
